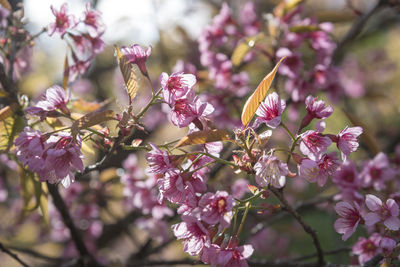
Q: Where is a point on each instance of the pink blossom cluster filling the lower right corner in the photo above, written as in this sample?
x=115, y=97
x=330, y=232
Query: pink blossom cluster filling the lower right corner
x=358, y=206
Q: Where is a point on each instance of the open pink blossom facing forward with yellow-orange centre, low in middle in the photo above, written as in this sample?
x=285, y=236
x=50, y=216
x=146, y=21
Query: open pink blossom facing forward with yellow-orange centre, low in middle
x=217, y=208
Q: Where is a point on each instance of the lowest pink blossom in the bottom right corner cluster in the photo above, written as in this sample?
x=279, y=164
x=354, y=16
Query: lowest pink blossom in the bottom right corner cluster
x=366, y=249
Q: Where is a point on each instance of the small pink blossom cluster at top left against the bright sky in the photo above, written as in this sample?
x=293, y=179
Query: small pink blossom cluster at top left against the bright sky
x=83, y=36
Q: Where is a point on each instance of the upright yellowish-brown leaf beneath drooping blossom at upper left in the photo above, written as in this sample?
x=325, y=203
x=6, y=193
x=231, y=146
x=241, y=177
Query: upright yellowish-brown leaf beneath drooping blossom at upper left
x=129, y=75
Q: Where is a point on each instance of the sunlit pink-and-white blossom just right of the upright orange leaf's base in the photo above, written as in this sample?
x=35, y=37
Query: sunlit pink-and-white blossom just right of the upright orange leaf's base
x=270, y=111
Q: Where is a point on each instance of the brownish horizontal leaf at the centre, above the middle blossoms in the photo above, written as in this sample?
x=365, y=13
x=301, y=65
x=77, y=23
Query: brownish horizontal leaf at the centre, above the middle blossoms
x=202, y=137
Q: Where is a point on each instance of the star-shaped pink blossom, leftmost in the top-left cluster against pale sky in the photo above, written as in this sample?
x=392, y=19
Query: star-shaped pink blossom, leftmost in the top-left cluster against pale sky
x=63, y=21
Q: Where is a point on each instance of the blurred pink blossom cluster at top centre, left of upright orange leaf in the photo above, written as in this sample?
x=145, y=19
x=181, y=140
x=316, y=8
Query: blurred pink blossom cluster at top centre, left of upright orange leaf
x=222, y=35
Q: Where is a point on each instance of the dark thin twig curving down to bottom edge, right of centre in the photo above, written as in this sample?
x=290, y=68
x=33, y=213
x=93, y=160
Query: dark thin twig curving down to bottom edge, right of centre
x=305, y=226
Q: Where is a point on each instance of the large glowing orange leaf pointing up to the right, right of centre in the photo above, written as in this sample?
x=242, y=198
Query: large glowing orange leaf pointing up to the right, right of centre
x=258, y=96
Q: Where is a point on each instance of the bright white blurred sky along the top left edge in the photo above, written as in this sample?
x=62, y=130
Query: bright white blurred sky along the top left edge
x=134, y=21
